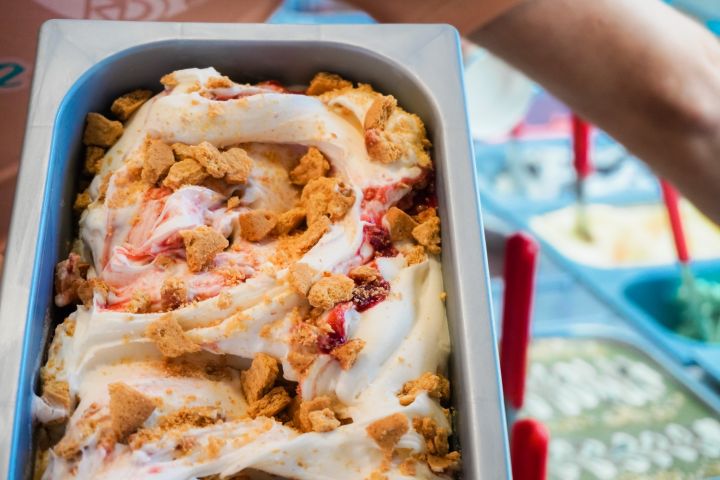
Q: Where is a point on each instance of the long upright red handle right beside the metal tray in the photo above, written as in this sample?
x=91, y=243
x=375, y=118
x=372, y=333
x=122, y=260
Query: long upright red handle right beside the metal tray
x=520, y=259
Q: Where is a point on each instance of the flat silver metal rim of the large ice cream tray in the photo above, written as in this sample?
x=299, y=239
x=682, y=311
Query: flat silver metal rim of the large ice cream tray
x=68, y=48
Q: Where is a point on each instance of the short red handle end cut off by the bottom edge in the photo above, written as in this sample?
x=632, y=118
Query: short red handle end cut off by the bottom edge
x=529, y=450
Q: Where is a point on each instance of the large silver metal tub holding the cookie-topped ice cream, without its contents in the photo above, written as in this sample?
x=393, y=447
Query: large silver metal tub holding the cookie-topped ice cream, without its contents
x=83, y=65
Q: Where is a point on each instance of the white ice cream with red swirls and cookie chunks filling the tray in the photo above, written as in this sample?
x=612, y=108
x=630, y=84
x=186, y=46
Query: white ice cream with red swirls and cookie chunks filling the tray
x=259, y=290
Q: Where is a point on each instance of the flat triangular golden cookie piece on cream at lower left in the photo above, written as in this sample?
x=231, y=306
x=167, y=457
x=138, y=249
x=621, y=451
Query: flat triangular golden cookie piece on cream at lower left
x=128, y=409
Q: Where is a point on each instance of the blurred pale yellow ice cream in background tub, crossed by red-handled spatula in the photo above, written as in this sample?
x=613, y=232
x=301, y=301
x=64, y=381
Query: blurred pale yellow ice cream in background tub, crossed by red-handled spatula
x=626, y=236
